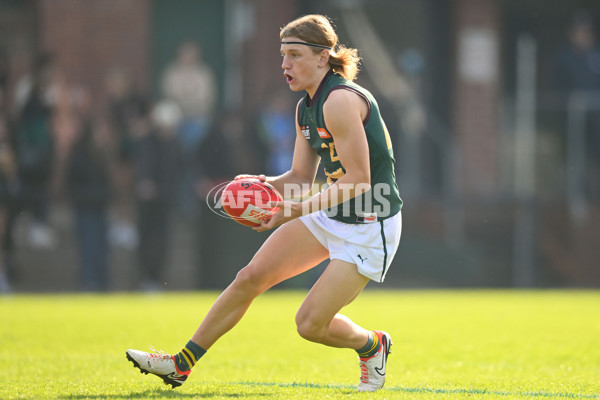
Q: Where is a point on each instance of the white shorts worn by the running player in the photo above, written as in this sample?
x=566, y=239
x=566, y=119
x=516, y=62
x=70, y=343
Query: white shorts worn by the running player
x=371, y=246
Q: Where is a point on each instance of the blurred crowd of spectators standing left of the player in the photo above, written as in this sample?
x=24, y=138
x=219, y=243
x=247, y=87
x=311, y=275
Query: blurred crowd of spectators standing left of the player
x=126, y=163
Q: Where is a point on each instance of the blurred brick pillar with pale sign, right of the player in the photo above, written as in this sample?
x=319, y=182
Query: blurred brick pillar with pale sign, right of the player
x=476, y=92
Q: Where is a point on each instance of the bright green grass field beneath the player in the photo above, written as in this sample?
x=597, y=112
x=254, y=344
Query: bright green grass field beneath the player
x=447, y=345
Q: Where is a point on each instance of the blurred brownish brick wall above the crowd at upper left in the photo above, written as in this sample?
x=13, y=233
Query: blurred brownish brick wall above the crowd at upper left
x=90, y=38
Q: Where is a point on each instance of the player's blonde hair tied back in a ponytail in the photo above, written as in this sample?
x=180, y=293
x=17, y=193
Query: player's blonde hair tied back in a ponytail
x=317, y=29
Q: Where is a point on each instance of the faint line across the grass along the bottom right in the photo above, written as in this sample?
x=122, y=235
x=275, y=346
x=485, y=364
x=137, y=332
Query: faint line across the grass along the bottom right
x=425, y=390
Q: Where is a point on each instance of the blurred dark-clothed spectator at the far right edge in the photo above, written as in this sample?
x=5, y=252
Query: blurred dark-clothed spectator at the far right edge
x=578, y=73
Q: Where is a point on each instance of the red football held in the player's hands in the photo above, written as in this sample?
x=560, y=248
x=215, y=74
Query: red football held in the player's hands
x=247, y=201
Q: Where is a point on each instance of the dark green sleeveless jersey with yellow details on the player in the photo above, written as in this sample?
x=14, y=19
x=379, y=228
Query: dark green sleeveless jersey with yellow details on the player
x=383, y=199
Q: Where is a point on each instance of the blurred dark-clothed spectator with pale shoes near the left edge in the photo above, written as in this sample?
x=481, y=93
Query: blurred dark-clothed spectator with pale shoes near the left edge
x=36, y=96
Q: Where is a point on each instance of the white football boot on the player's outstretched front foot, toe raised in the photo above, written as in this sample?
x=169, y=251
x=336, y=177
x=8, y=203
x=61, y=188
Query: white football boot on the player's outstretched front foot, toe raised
x=160, y=364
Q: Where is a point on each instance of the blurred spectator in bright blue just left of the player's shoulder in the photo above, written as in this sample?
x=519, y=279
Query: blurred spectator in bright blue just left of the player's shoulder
x=276, y=129
